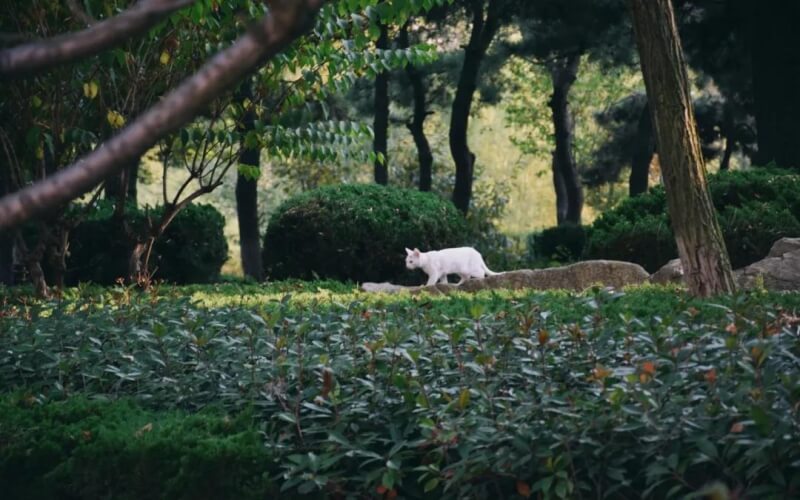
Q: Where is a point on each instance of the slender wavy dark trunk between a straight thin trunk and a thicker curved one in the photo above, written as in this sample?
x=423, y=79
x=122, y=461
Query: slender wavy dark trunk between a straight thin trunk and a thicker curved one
x=417, y=123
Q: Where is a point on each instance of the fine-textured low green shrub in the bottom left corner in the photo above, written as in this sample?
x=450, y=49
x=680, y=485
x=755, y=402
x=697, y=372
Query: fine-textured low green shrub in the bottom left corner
x=90, y=449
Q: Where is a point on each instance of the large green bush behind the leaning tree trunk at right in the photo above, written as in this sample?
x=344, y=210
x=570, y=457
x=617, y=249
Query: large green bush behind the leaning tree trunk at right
x=755, y=208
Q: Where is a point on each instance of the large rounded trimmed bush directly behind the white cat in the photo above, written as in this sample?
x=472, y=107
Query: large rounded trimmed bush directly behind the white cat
x=357, y=232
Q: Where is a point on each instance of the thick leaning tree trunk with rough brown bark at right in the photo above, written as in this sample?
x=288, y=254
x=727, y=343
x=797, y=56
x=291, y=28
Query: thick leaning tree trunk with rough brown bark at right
x=700, y=245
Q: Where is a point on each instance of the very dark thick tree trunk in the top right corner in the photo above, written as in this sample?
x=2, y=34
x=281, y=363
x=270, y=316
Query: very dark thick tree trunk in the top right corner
x=775, y=39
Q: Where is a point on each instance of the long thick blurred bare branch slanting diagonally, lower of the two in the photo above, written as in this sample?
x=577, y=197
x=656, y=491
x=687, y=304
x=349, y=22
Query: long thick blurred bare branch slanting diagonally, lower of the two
x=270, y=35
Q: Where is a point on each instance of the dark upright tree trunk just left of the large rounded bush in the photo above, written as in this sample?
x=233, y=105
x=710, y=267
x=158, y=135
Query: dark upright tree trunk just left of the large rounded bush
x=247, y=199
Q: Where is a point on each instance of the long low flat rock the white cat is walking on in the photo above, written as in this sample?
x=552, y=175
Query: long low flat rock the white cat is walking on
x=576, y=277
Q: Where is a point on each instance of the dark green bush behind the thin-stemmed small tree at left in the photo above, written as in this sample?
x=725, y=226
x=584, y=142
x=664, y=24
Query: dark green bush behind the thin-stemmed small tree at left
x=191, y=250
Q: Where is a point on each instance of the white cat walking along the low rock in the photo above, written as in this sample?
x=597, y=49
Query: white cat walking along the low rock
x=464, y=261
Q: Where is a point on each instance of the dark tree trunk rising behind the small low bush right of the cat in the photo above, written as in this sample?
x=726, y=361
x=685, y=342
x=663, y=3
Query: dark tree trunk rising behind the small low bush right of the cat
x=564, y=72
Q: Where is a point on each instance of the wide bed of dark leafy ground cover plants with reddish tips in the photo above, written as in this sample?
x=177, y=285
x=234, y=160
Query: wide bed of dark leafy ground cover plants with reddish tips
x=645, y=392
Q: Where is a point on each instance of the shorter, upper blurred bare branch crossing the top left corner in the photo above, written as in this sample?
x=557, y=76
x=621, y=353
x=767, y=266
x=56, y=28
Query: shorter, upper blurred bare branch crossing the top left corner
x=42, y=55
